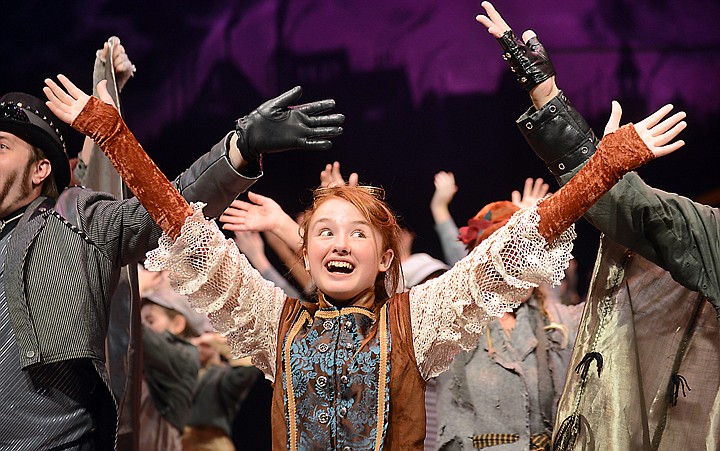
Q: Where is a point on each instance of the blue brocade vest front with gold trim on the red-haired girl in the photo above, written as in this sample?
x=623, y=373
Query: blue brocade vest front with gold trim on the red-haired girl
x=336, y=376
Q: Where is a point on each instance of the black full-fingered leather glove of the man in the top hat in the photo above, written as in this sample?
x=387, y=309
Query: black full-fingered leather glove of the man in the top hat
x=275, y=126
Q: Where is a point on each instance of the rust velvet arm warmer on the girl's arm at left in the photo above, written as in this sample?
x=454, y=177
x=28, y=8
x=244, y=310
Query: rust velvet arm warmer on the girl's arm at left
x=103, y=124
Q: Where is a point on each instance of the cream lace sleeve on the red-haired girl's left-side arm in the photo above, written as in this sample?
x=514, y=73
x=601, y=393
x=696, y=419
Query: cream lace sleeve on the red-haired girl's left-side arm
x=220, y=282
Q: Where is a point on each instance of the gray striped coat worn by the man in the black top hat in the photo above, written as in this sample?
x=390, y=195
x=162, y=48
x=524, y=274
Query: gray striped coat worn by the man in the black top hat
x=64, y=260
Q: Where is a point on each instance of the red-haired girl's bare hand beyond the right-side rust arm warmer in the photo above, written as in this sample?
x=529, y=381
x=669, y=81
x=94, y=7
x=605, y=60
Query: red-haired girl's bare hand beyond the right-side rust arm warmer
x=655, y=130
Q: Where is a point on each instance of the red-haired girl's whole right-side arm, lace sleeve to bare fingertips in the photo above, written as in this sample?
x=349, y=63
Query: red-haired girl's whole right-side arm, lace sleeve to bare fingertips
x=532, y=248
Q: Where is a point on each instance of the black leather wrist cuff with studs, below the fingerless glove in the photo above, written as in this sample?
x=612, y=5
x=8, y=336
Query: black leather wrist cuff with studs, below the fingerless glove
x=559, y=135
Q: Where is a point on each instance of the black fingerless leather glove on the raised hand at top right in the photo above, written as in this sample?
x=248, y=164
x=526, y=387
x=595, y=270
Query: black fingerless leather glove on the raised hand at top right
x=529, y=61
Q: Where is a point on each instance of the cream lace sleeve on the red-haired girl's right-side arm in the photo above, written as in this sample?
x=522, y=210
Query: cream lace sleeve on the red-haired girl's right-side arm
x=448, y=313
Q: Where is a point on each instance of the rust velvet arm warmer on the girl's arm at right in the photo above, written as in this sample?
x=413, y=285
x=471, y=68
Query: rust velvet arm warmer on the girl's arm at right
x=619, y=152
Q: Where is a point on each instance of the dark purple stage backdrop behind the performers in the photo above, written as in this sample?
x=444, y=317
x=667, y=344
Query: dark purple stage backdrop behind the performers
x=421, y=83
